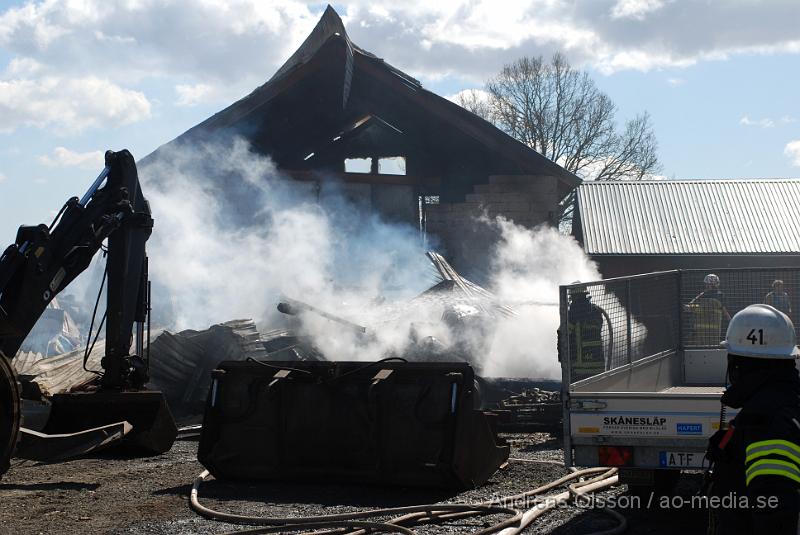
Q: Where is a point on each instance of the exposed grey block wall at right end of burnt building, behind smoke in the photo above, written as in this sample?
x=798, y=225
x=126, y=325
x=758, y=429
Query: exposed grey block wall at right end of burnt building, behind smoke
x=527, y=200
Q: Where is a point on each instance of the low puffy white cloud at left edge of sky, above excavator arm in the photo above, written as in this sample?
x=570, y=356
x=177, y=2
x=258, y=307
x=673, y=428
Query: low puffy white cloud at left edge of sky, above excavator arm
x=69, y=104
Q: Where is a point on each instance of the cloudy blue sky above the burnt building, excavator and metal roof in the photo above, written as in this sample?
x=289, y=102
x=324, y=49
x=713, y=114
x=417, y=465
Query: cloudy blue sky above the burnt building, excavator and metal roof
x=719, y=78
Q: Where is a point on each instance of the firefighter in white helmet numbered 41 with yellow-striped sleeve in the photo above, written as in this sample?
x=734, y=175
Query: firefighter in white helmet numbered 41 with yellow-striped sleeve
x=756, y=459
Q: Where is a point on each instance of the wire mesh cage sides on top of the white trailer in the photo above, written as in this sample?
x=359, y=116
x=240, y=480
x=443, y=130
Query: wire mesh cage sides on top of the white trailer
x=608, y=324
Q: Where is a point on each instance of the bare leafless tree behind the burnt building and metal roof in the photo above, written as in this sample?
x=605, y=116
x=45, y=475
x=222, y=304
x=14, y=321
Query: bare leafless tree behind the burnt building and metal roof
x=559, y=112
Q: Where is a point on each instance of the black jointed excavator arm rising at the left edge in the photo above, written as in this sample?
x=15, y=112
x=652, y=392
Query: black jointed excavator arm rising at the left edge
x=44, y=260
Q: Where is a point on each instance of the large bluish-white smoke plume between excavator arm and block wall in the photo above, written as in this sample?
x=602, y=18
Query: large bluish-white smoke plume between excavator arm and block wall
x=232, y=236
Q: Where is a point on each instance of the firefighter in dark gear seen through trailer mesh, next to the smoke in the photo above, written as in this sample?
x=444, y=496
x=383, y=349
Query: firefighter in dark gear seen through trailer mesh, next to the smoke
x=585, y=331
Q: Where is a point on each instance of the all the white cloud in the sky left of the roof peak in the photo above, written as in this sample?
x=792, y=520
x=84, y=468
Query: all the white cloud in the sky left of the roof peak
x=72, y=63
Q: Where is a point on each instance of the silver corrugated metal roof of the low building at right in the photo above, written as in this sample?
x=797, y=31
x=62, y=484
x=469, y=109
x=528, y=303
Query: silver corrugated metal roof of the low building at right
x=669, y=217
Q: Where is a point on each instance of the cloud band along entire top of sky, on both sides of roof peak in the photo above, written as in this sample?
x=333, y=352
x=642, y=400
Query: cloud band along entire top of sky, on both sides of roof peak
x=215, y=48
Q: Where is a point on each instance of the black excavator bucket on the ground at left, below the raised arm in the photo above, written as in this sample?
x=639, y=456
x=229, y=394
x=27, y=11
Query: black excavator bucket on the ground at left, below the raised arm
x=154, y=429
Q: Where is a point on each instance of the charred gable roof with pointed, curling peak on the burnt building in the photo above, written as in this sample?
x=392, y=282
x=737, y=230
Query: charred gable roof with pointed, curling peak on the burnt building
x=328, y=48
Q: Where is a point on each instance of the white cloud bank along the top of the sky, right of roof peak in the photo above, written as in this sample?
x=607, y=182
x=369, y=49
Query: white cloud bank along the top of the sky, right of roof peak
x=473, y=39
